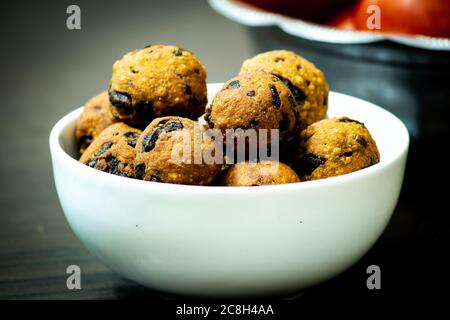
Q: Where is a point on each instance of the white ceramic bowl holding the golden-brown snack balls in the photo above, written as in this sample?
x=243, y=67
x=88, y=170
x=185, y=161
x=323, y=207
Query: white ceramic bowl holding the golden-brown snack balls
x=233, y=241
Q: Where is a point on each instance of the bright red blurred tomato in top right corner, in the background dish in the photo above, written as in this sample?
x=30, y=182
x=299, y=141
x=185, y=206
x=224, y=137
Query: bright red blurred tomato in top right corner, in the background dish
x=419, y=17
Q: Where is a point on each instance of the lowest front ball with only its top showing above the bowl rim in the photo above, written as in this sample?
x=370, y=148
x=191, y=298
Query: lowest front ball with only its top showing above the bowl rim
x=258, y=174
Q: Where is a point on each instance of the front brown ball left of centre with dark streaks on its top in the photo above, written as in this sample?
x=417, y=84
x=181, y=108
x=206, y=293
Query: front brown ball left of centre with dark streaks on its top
x=166, y=152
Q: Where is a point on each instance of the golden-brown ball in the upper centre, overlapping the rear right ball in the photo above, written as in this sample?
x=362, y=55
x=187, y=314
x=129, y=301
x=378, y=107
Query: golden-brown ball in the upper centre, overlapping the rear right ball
x=254, y=100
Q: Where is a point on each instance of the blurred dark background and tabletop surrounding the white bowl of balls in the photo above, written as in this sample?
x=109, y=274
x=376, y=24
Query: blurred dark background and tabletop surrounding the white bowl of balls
x=48, y=70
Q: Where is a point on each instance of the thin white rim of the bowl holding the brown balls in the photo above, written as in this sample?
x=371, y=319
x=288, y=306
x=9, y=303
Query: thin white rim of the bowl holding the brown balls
x=57, y=151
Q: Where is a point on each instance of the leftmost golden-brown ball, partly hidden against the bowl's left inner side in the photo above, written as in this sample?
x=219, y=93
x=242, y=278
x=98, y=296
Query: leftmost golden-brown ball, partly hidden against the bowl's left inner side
x=96, y=116
